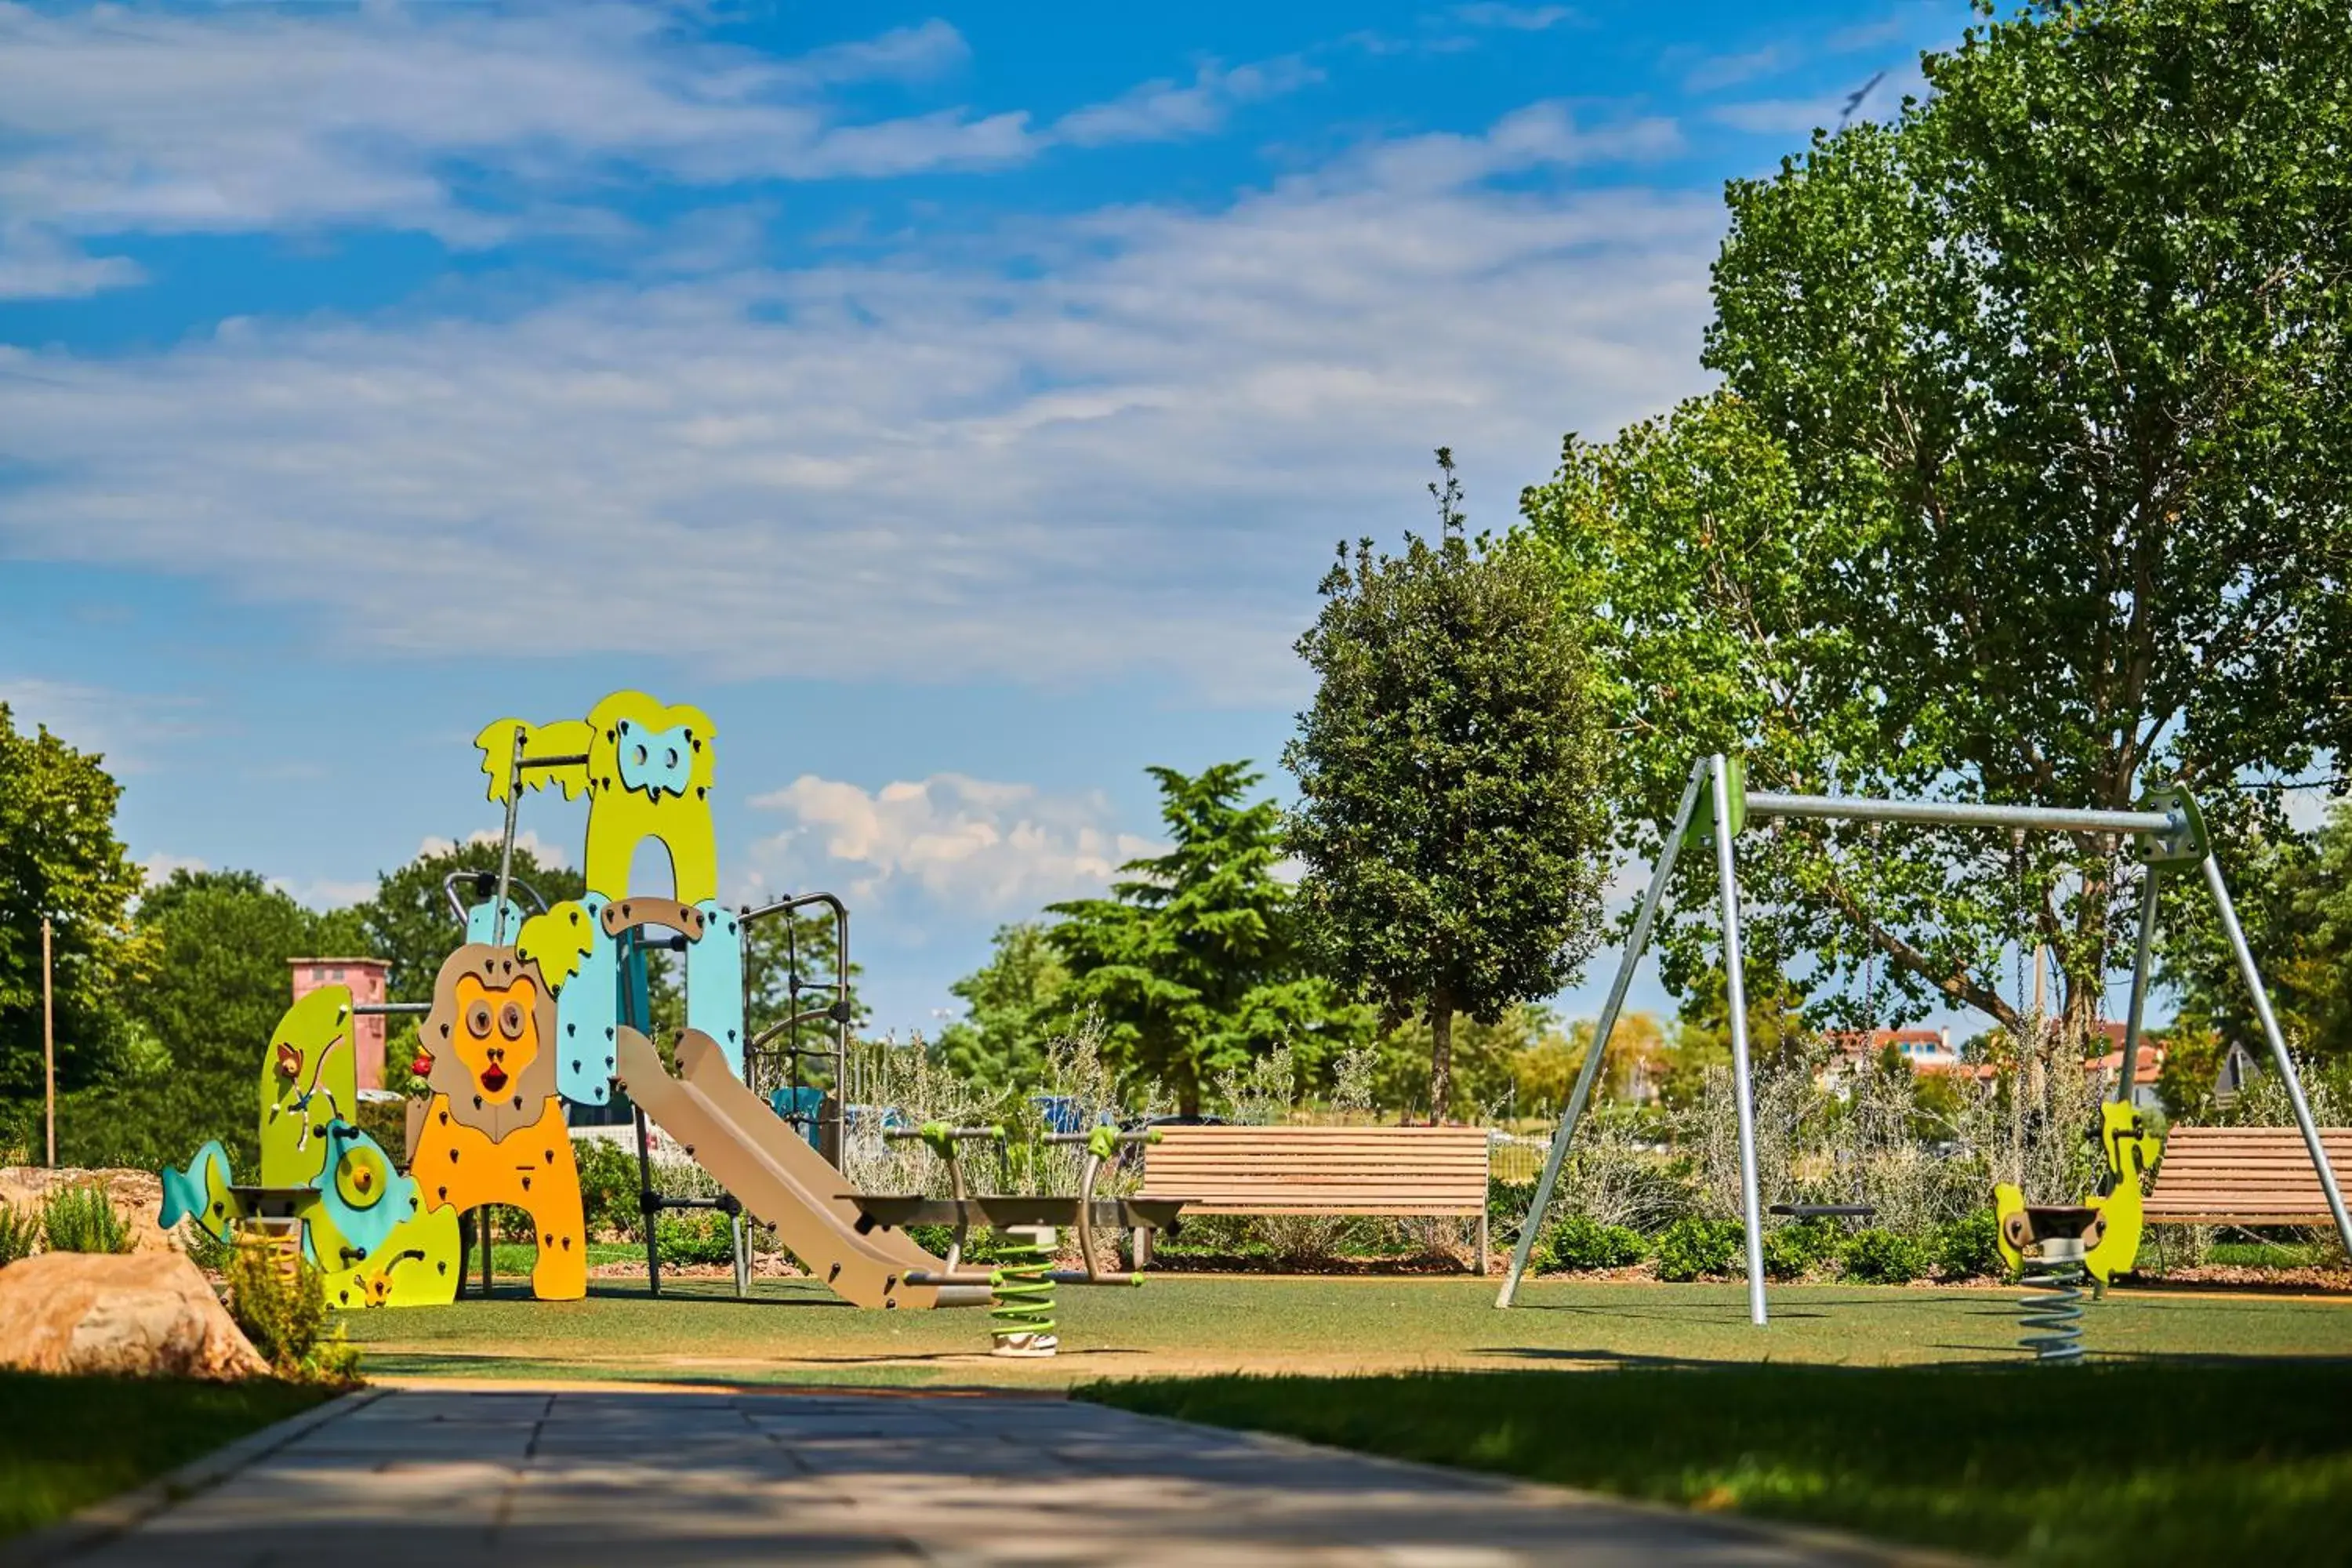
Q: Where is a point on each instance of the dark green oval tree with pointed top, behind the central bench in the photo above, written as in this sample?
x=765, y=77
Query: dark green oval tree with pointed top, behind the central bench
x=1450, y=782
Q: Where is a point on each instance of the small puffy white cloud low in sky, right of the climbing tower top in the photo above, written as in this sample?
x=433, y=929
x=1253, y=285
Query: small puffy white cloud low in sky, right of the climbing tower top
x=965, y=843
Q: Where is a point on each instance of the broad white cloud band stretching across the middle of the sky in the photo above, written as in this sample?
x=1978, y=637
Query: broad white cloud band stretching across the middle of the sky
x=1130, y=453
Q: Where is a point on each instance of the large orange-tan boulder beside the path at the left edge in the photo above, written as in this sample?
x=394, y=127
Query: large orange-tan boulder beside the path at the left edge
x=128, y=1315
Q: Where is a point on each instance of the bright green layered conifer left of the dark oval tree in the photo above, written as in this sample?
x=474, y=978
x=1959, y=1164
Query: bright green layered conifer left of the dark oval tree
x=1194, y=965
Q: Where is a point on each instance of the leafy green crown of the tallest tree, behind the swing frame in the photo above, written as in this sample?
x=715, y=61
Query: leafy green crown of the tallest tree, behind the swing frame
x=2026, y=485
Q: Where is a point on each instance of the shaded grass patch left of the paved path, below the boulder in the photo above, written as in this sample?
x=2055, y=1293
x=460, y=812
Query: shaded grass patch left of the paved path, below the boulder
x=67, y=1442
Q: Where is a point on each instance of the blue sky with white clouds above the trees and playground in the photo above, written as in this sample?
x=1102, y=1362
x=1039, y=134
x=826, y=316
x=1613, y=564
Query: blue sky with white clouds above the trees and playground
x=958, y=403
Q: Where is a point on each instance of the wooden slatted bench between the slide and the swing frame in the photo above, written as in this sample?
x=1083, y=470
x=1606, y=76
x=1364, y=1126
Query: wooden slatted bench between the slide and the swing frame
x=1323, y=1172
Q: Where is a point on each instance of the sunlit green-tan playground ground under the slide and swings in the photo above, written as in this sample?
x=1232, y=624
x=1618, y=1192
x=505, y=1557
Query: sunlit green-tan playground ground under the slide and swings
x=796, y=1332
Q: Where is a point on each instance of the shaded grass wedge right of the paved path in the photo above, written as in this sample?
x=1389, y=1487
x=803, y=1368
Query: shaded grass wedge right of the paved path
x=2141, y=1463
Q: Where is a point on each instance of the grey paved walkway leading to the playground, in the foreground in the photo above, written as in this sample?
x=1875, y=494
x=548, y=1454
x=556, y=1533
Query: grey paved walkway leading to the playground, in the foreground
x=443, y=1477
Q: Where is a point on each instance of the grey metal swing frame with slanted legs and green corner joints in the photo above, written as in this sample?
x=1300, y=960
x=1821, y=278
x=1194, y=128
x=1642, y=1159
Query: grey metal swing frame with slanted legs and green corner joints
x=2170, y=836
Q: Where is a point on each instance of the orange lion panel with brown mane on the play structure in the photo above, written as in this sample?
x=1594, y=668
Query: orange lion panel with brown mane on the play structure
x=495, y=1130
